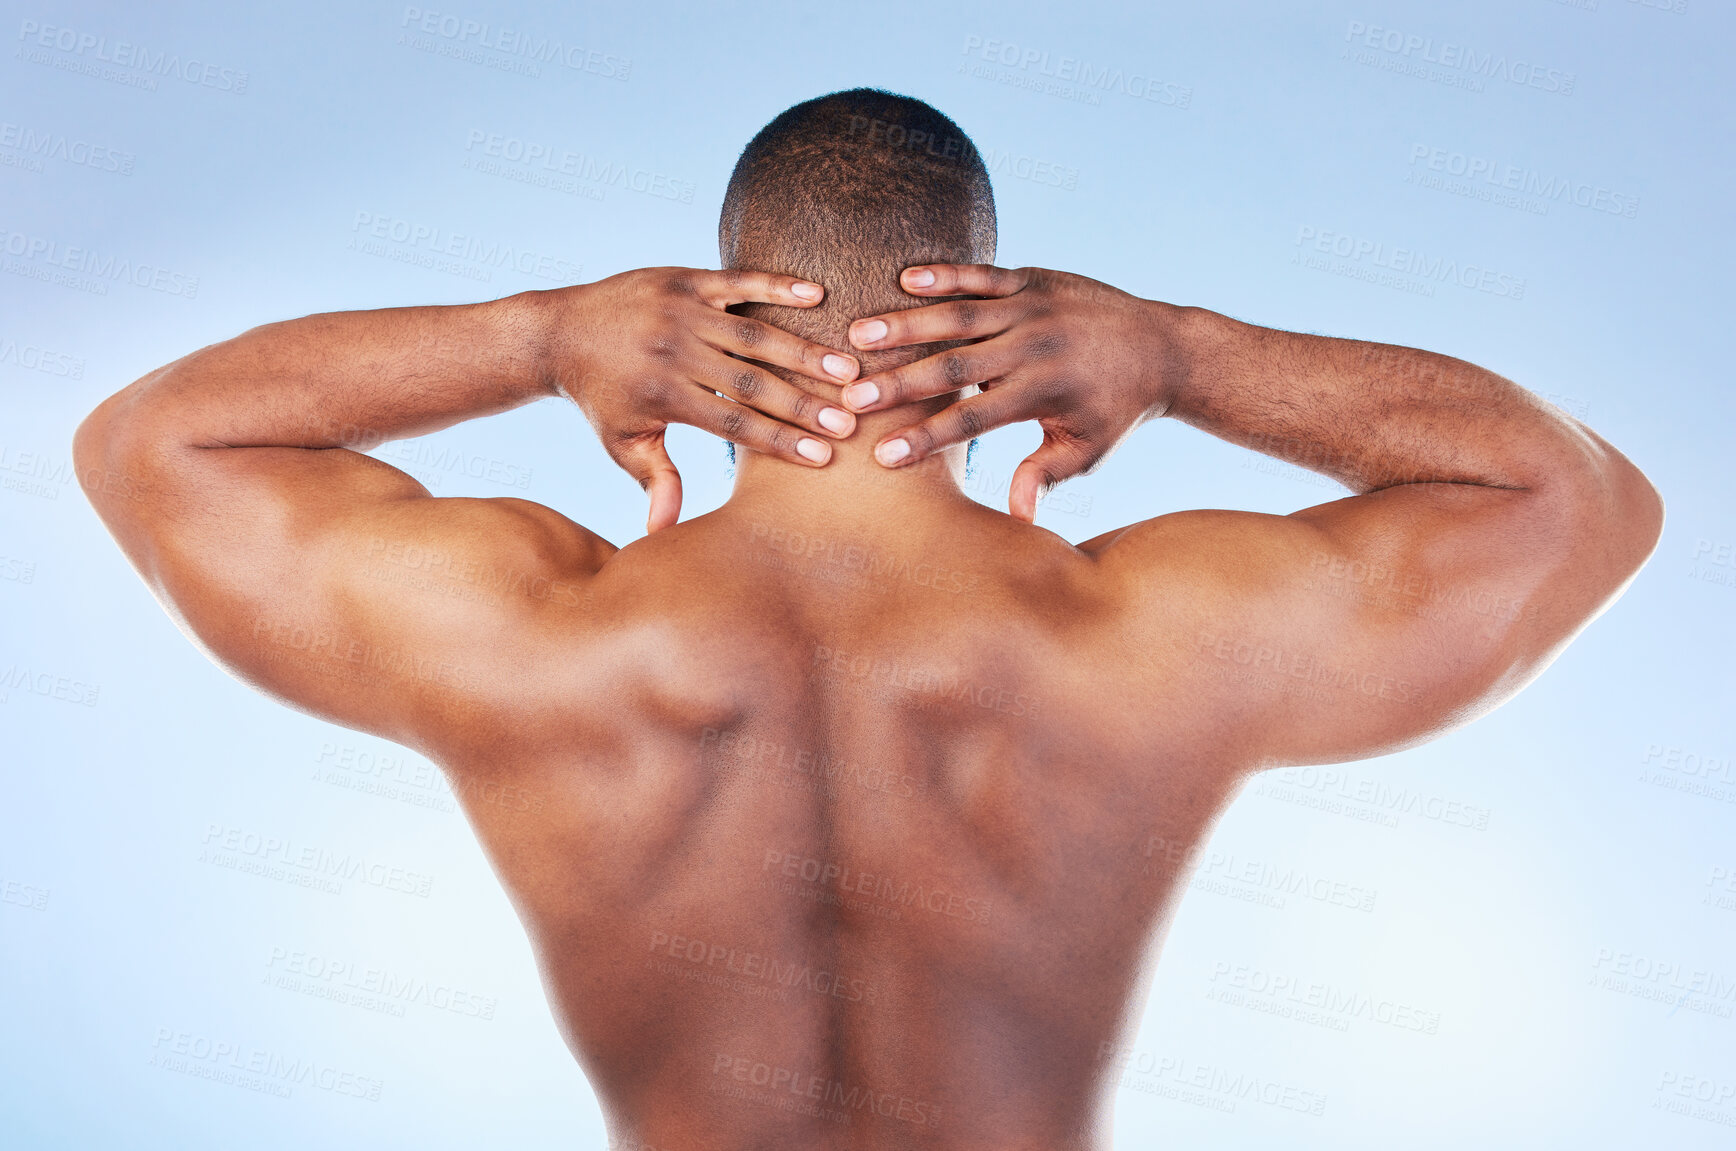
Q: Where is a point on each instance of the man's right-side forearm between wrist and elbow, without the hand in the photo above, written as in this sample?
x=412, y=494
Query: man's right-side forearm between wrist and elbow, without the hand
x=1371, y=416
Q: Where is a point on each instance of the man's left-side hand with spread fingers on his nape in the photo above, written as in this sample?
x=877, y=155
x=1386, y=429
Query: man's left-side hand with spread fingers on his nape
x=652, y=348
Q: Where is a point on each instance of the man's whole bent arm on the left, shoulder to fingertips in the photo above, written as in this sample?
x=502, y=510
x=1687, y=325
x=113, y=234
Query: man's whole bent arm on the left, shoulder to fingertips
x=235, y=482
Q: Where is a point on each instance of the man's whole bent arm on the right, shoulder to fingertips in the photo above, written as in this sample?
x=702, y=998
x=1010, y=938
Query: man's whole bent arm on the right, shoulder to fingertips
x=1485, y=530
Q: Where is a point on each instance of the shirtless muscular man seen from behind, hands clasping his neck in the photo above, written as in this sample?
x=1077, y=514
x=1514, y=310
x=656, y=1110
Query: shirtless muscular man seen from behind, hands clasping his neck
x=843, y=791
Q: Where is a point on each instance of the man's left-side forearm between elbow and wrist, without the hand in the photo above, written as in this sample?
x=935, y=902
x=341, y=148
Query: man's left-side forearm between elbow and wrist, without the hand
x=339, y=379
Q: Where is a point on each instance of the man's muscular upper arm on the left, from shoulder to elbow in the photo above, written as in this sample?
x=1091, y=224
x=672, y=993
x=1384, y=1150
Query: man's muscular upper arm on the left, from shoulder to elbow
x=338, y=584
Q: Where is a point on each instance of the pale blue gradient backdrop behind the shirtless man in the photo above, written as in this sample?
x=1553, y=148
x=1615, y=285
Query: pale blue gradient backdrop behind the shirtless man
x=1588, y=852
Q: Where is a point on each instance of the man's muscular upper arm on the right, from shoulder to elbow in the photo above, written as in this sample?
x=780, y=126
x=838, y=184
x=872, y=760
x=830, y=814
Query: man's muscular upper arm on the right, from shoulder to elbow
x=1364, y=626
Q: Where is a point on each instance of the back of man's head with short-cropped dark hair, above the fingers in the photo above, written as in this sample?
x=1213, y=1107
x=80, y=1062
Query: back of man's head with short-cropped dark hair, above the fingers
x=850, y=190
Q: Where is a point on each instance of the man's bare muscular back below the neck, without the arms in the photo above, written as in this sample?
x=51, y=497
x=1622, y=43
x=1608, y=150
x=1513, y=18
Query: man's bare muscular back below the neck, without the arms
x=843, y=852
